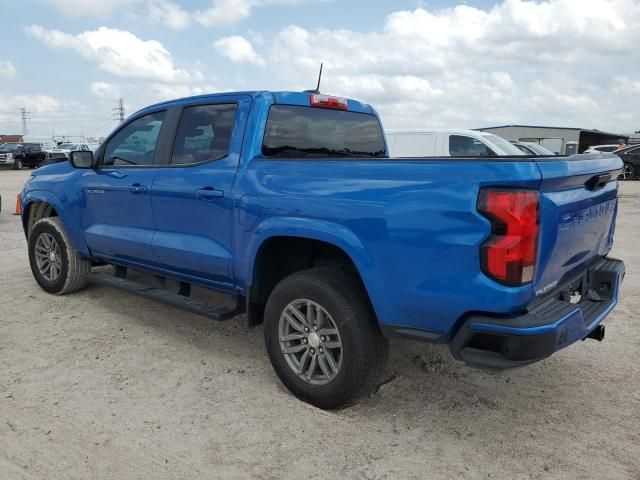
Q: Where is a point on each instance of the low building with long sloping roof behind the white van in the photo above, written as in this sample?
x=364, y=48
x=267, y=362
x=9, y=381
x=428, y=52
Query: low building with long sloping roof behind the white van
x=561, y=140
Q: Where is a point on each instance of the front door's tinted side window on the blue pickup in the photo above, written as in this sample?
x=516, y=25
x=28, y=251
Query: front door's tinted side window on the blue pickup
x=135, y=144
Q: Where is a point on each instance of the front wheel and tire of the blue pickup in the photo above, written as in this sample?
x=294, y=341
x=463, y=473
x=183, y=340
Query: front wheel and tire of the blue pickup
x=56, y=265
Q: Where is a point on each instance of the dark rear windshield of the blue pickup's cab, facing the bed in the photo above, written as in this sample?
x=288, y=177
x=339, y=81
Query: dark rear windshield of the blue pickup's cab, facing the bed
x=295, y=131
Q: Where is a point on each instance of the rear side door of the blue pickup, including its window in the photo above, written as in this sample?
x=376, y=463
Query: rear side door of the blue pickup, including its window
x=192, y=195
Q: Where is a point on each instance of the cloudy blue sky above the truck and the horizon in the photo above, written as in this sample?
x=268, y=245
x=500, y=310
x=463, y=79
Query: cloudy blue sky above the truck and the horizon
x=420, y=63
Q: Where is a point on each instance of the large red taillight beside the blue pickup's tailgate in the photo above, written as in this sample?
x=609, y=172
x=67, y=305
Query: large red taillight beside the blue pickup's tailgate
x=509, y=254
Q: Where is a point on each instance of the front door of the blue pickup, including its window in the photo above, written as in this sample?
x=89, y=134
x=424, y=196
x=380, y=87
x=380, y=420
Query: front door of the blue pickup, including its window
x=117, y=216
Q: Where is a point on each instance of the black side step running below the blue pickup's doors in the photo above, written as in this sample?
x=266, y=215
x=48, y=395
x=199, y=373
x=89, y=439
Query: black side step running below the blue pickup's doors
x=165, y=296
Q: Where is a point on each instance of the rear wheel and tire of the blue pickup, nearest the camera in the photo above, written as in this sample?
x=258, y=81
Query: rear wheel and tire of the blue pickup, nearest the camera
x=322, y=337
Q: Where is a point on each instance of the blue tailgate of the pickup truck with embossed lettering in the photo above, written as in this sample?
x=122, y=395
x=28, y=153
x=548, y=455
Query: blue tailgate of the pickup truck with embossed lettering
x=578, y=205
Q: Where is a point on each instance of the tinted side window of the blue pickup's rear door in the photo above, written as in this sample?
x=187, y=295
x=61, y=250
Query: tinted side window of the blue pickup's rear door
x=204, y=133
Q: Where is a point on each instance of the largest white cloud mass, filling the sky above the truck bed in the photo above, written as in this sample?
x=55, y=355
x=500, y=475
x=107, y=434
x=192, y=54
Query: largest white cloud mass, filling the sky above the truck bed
x=520, y=61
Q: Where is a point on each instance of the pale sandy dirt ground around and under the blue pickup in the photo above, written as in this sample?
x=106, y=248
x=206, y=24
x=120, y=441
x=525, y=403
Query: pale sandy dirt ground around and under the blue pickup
x=103, y=384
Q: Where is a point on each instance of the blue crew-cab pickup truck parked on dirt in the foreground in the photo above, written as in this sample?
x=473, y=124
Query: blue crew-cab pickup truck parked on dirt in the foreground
x=289, y=203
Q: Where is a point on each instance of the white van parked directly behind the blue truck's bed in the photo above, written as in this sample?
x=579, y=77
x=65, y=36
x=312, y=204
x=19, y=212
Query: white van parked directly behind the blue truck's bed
x=448, y=143
